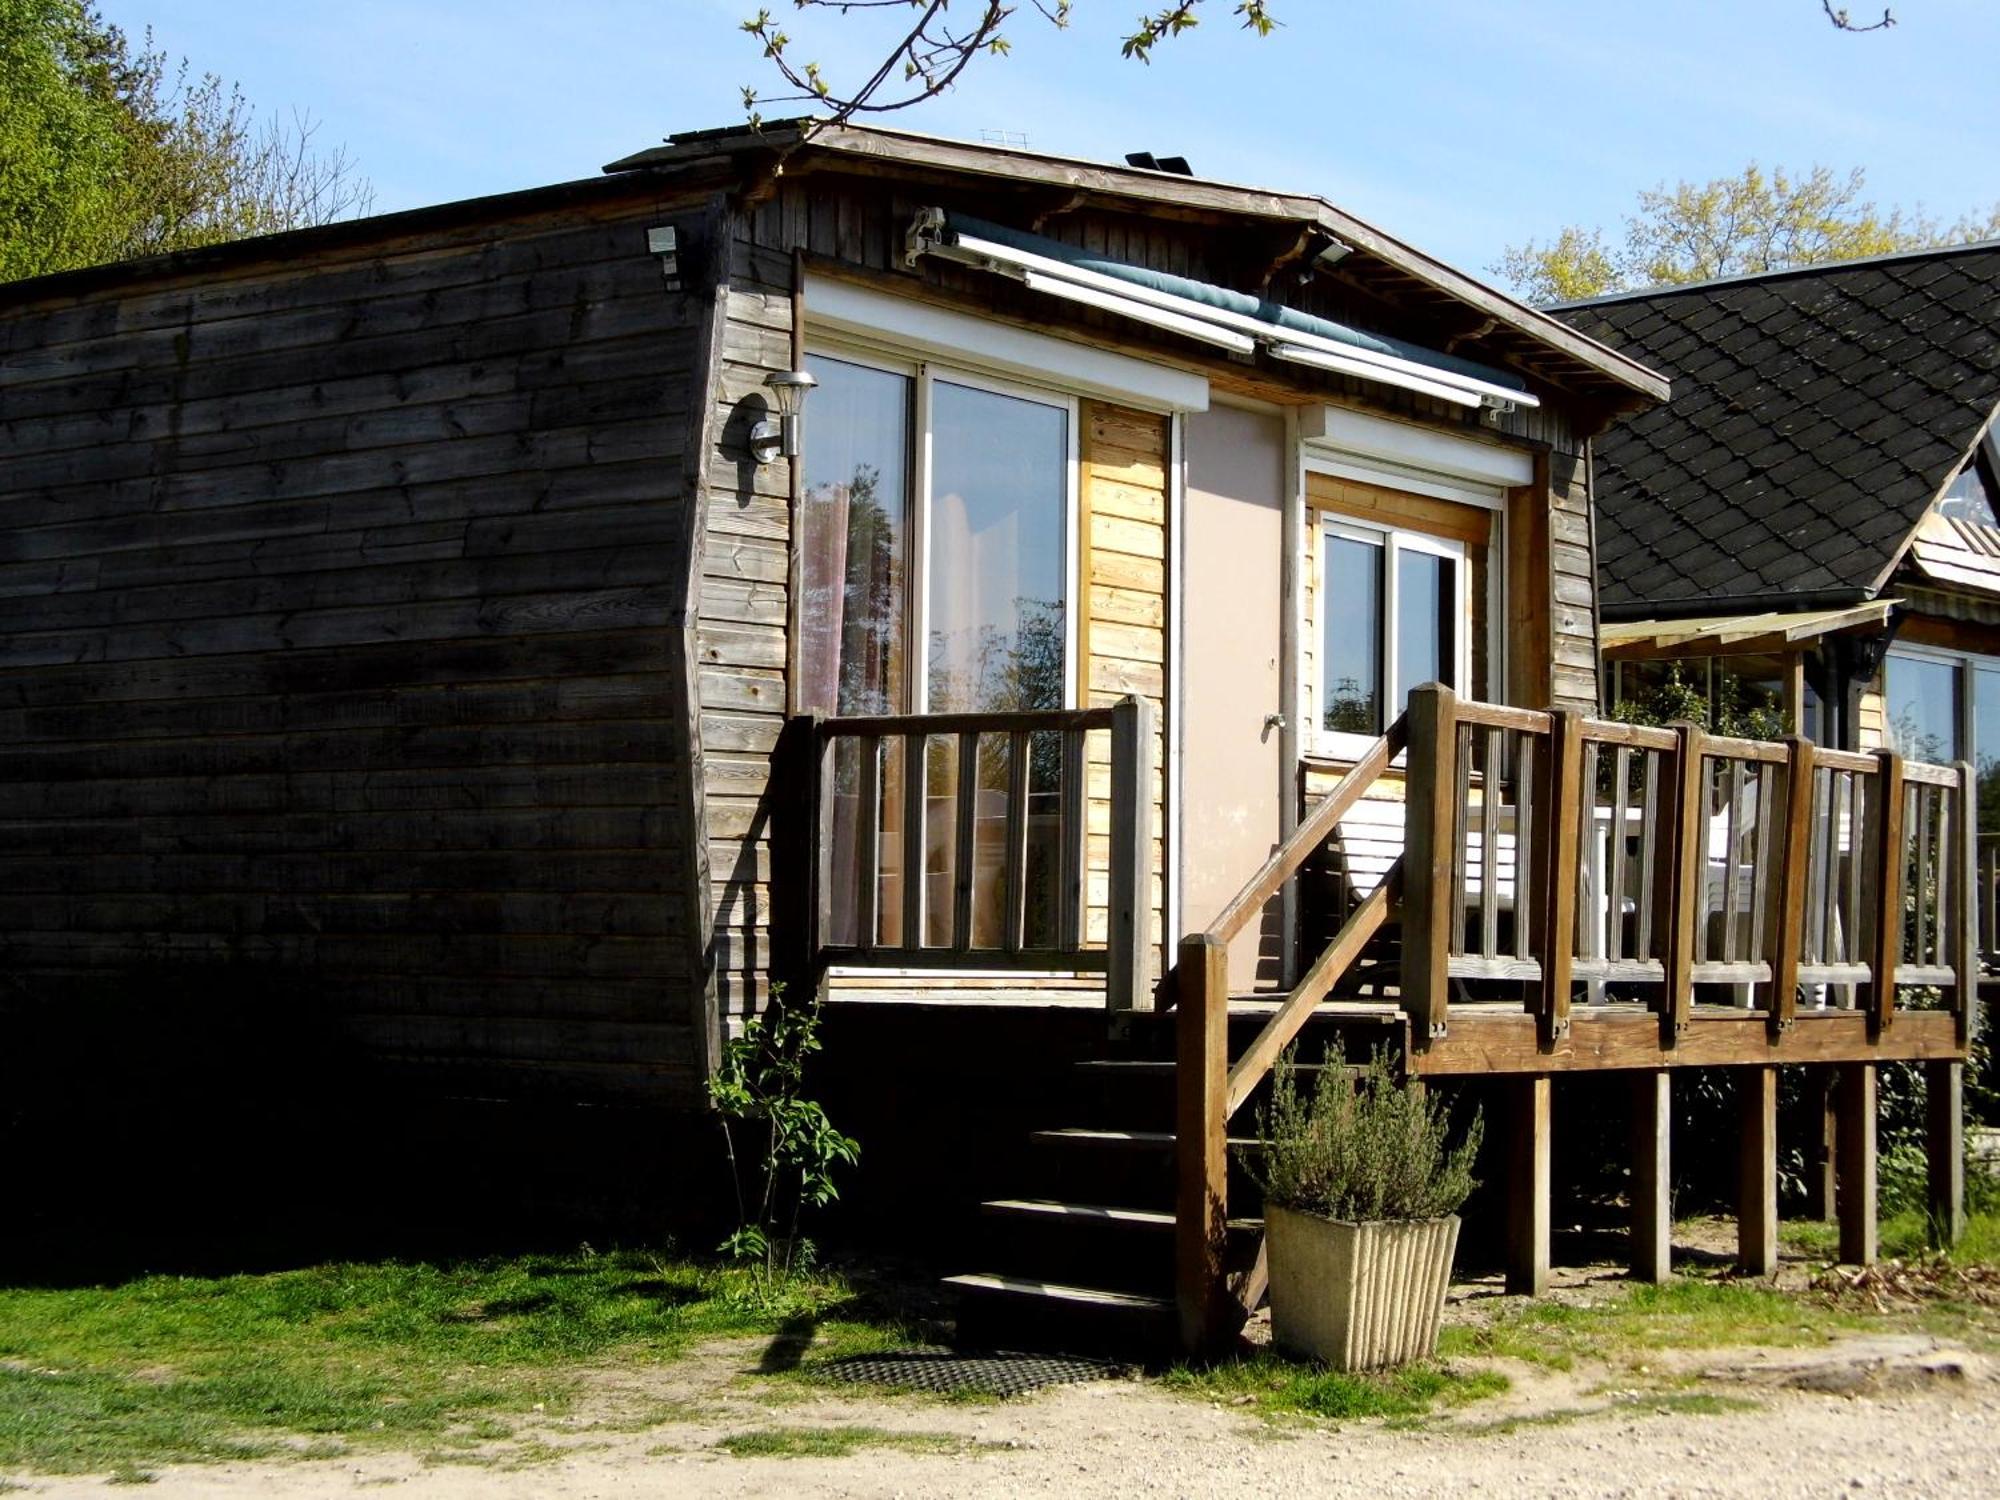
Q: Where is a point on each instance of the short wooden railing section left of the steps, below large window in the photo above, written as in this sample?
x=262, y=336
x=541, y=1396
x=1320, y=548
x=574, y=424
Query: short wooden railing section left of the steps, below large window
x=977, y=843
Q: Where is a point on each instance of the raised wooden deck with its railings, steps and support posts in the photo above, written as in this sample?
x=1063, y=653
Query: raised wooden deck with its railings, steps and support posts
x=1571, y=897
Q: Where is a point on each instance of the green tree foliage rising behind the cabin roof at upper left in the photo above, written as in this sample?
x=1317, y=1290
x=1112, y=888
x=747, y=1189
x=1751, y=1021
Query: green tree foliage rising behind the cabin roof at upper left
x=111, y=151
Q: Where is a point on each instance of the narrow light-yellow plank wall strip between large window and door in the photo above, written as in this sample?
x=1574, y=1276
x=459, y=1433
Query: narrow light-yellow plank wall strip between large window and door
x=1123, y=629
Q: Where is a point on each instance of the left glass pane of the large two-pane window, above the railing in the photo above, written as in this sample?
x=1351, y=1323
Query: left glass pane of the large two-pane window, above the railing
x=855, y=517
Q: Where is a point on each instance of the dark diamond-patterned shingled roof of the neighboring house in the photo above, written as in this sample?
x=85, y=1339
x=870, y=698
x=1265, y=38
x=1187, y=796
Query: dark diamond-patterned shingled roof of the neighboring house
x=1817, y=415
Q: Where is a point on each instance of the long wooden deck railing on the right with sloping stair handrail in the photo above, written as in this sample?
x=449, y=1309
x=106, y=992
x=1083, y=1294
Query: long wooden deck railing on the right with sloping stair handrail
x=1551, y=851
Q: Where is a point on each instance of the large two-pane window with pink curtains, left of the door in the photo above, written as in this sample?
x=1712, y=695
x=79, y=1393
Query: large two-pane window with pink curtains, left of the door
x=937, y=509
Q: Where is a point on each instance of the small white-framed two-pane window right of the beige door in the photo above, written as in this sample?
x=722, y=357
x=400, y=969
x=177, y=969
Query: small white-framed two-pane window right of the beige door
x=1395, y=613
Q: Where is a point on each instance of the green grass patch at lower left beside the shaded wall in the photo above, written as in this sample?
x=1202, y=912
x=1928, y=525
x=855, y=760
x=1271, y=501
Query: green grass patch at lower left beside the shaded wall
x=423, y=1357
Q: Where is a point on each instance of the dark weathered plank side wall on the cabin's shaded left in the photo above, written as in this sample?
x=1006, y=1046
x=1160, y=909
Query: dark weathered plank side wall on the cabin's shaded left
x=335, y=649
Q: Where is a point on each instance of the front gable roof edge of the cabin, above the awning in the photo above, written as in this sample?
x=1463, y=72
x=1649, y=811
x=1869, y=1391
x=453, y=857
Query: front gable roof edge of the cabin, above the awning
x=1527, y=339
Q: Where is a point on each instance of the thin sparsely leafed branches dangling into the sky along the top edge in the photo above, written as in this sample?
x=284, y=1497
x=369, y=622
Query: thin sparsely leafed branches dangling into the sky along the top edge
x=933, y=53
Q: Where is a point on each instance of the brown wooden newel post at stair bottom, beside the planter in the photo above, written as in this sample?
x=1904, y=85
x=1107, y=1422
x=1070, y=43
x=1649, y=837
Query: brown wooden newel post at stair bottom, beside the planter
x=1201, y=1147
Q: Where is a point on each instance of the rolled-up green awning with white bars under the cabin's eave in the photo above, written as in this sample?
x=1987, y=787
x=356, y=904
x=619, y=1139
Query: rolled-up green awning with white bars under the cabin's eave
x=1213, y=315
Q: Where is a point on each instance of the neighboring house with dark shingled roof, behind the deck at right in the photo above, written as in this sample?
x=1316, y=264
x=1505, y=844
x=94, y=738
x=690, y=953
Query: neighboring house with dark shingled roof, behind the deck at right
x=1809, y=525
